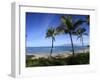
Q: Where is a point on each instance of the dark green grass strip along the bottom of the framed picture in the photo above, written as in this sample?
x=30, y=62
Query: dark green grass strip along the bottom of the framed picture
x=78, y=59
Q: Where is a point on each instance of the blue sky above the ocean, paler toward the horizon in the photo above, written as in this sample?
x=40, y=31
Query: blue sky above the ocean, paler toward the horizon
x=38, y=23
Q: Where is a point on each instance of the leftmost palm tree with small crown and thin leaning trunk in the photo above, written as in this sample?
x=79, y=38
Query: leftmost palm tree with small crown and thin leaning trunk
x=51, y=32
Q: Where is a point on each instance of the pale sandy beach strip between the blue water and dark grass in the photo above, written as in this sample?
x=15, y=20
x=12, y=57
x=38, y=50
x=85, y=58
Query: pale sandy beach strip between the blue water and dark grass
x=56, y=55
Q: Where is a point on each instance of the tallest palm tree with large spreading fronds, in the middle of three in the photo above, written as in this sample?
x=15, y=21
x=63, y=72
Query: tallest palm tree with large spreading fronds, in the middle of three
x=69, y=27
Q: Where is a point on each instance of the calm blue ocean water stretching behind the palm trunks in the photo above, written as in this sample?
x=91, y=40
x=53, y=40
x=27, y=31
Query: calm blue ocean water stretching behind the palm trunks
x=56, y=49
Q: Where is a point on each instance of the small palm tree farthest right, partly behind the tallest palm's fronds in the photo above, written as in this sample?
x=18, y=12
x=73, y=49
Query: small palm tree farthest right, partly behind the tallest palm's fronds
x=80, y=32
